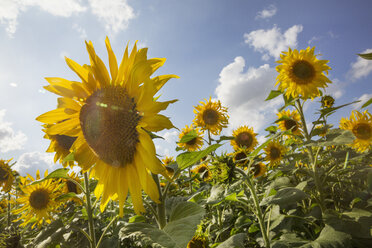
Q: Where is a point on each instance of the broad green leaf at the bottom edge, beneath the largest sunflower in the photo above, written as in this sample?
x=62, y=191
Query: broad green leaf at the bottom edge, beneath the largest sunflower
x=176, y=234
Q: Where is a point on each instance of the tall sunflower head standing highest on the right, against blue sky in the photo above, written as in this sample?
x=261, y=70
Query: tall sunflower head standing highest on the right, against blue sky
x=301, y=73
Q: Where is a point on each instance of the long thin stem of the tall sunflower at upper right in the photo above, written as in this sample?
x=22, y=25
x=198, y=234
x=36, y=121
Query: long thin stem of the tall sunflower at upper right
x=311, y=155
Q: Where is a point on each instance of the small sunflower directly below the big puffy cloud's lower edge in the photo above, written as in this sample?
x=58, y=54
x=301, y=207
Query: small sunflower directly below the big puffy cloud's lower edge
x=245, y=138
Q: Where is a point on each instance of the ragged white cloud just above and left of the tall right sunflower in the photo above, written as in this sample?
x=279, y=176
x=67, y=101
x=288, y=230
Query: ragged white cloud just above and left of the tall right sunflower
x=271, y=41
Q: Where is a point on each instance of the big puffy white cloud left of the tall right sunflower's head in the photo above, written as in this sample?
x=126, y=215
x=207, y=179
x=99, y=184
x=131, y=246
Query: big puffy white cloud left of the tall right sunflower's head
x=244, y=94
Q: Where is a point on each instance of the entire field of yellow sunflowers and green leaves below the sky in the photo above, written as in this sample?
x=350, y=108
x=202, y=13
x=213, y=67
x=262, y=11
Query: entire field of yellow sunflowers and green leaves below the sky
x=309, y=184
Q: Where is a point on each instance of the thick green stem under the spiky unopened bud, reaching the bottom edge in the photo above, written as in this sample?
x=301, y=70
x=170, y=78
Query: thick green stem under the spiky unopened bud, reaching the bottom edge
x=248, y=181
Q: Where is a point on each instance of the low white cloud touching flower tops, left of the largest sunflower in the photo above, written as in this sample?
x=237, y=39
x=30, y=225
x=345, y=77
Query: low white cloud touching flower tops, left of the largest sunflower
x=30, y=162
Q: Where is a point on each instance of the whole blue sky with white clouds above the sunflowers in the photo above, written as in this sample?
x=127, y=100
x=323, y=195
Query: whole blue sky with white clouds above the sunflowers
x=221, y=49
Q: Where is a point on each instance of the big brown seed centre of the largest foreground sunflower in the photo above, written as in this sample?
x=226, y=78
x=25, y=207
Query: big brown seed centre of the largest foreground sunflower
x=108, y=121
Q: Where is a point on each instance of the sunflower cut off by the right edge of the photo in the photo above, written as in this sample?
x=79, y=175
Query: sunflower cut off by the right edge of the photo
x=360, y=124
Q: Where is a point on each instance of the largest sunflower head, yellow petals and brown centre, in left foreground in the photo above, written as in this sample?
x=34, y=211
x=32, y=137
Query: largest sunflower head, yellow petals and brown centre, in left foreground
x=110, y=116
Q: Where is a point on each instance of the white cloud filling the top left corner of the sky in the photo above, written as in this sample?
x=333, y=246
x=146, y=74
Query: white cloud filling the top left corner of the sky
x=11, y=9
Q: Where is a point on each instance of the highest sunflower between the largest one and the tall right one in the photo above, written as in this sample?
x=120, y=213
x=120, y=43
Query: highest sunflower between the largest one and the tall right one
x=211, y=116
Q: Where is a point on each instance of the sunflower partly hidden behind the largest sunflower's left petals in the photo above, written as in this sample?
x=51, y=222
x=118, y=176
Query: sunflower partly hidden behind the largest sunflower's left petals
x=61, y=145
